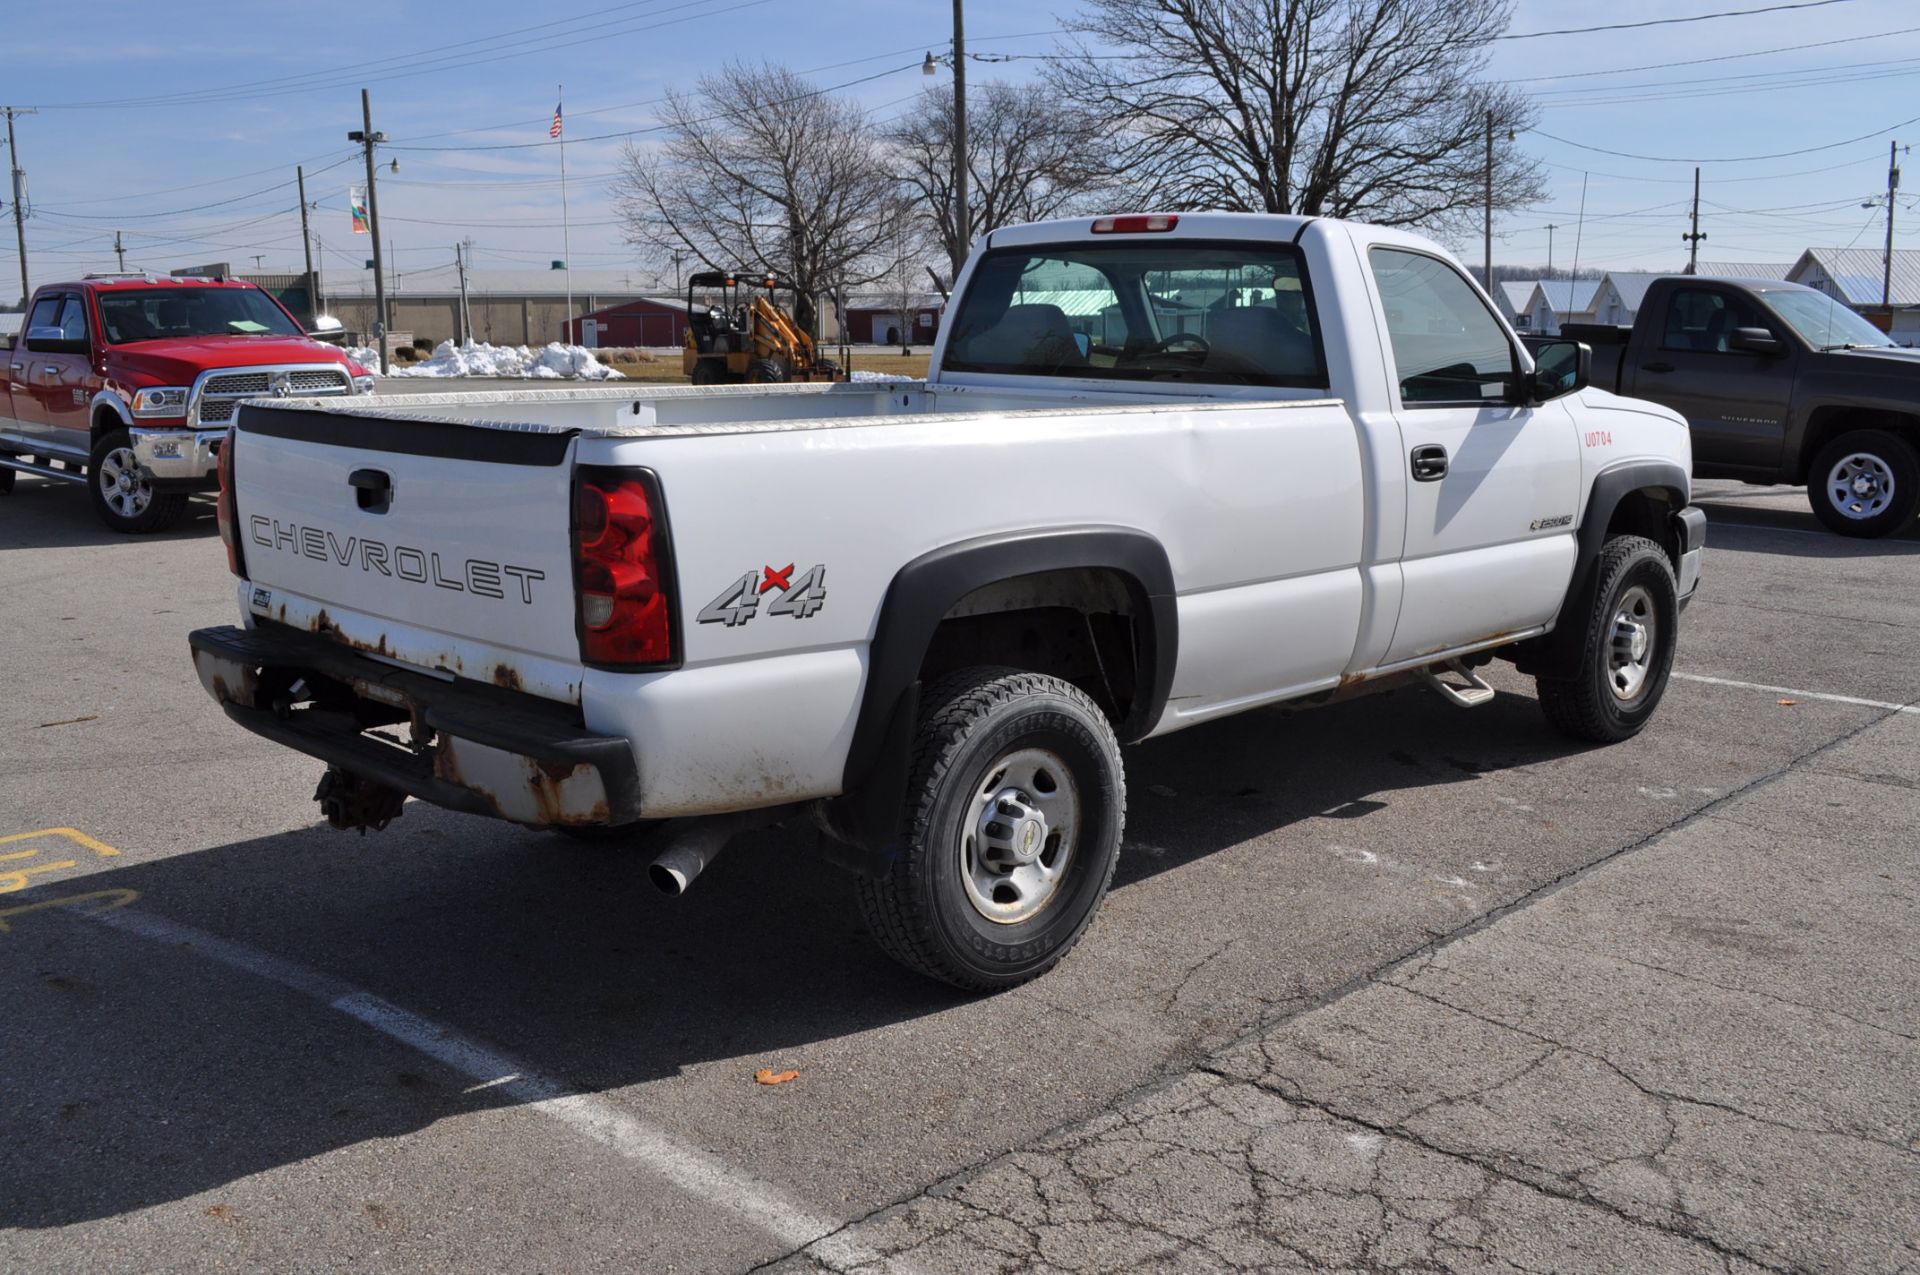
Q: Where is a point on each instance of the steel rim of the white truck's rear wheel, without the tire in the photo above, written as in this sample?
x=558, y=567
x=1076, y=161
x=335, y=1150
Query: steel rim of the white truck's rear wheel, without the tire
x=1020, y=834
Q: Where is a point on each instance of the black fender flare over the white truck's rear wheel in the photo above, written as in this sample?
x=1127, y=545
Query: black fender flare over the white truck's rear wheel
x=921, y=596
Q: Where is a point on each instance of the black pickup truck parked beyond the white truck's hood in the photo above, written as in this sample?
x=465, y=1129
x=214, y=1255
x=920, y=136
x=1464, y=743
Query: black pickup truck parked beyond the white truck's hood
x=1779, y=385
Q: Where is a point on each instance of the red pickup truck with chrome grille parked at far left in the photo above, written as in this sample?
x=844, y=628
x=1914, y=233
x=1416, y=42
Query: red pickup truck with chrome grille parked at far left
x=128, y=383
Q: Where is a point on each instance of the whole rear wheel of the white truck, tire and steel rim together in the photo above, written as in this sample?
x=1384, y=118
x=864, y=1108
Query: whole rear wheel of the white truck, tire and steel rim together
x=1013, y=830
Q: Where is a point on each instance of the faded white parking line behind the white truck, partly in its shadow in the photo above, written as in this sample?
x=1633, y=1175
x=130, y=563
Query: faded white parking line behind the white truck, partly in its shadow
x=688, y=1168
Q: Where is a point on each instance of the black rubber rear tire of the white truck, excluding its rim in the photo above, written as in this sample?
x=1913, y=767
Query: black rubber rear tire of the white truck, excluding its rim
x=919, y=907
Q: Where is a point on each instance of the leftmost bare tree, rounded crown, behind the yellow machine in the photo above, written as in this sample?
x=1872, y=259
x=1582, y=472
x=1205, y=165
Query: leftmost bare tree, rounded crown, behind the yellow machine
x=763, y=172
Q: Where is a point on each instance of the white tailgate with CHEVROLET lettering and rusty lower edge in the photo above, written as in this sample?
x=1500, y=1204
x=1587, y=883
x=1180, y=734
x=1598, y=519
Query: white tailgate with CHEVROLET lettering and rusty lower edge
x=429, y=542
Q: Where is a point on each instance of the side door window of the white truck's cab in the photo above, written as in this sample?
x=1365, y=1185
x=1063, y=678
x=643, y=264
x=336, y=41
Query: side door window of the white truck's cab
x=1449, y=347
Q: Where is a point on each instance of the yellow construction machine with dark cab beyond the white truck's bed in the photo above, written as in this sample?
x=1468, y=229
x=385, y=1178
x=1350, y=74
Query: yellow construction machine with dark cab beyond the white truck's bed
x=740, y=335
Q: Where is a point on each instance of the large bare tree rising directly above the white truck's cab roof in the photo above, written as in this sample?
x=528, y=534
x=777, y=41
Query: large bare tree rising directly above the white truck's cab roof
x=1349, y=108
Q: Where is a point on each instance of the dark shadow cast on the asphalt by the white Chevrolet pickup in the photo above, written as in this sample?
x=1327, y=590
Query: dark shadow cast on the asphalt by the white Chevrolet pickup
x=145, y=1072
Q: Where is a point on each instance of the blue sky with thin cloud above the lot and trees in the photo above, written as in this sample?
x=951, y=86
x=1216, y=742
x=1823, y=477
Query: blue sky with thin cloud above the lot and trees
x=178, y=124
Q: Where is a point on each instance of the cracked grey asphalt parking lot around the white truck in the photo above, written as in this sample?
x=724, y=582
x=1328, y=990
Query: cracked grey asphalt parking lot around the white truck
x=237, y=1040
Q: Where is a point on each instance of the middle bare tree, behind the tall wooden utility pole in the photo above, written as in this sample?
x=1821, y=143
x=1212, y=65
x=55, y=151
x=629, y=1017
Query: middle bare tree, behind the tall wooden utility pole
x=1032, y=156
